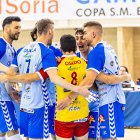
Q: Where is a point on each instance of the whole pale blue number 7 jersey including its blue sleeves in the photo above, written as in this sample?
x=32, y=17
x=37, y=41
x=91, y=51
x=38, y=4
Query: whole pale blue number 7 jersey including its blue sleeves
x=31, y=59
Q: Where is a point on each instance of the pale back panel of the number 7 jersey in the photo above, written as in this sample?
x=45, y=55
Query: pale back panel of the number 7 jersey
x=29, y=60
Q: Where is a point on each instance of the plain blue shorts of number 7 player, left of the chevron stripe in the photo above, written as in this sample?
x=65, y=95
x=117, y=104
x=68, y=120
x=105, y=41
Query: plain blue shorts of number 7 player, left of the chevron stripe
x=31, y=123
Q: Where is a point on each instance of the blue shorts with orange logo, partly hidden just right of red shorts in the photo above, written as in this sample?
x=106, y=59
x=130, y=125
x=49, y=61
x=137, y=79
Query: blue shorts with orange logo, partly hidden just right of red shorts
x=94, y=129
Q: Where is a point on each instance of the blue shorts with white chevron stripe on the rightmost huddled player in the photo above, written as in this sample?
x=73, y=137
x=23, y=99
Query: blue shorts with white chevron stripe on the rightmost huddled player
x=112, y=120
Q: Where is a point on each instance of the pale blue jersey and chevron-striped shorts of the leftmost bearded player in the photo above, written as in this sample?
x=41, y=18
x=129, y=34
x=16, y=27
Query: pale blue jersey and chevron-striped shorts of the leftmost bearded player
x=8, y=120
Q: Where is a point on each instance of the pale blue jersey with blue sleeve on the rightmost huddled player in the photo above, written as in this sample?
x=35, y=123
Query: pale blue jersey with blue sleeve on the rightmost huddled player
x=103, y=59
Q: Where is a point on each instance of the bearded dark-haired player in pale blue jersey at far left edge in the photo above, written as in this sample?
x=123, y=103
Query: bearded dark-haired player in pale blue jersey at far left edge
x=8, y=123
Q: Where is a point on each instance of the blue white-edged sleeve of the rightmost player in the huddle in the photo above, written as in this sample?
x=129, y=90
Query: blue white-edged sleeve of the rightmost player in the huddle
x=96, y=59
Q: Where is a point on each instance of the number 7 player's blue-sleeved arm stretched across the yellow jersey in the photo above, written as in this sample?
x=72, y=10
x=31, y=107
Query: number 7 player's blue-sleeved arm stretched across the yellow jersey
x=50, y=66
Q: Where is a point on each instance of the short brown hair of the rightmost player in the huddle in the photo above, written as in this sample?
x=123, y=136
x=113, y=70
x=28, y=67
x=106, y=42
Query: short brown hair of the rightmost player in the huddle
x=95, y=24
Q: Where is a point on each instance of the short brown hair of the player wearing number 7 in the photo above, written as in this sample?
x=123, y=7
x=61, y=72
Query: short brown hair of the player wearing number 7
x=43, y=25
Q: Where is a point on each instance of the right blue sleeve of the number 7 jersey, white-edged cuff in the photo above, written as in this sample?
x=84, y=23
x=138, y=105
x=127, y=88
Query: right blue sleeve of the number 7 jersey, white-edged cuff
x=48, y=59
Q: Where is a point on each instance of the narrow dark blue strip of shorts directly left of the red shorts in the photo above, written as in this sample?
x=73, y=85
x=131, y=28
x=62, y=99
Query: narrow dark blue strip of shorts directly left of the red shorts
x=51, y=115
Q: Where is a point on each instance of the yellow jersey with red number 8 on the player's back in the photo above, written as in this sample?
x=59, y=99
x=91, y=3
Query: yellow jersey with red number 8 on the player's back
x=73, y=70
